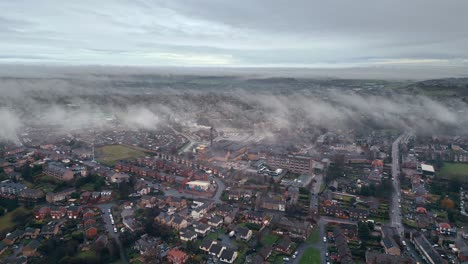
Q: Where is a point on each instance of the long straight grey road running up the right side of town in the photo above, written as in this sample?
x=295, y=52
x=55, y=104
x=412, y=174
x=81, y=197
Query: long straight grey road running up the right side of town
x=395, y=214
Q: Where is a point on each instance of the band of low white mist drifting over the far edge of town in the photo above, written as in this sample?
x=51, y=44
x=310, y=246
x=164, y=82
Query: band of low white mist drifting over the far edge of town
x=148, y=102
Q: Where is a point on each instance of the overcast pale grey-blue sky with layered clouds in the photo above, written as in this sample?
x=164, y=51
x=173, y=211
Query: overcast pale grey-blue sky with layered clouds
x=226, y=33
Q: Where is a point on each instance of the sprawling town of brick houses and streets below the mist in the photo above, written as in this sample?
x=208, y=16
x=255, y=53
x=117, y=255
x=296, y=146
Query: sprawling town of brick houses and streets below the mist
x=211, y=196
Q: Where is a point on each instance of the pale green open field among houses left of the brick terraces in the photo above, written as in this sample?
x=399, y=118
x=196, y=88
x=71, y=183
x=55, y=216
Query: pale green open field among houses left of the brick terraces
x=111, y=154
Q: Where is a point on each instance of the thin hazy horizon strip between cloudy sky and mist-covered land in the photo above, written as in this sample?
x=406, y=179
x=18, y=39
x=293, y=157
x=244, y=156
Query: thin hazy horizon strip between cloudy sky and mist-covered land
x=401, y=73
